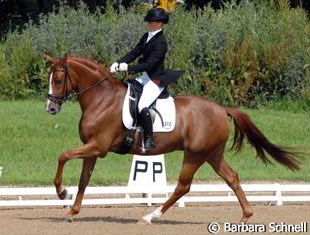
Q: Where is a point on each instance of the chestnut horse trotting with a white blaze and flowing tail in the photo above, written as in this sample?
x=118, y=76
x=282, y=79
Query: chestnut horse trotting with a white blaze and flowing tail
x=202, y=130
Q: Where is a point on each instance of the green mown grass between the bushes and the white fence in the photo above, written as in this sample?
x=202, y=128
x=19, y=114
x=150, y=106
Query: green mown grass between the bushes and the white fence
x=31, y=141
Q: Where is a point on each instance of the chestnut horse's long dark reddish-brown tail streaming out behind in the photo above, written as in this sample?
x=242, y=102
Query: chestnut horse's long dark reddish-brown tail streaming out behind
x=244, y=127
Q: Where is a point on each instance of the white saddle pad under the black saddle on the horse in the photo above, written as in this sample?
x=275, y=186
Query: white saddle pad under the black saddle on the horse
x=165, y=107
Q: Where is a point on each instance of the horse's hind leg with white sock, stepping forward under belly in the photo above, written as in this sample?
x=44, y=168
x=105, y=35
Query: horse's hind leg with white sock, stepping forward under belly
x=189, y=167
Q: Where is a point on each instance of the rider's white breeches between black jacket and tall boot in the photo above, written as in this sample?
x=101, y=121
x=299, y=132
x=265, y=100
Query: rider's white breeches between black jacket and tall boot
x=150, y=91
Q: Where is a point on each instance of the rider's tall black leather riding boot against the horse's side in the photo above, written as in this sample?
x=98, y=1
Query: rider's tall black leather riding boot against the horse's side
x=147, y=125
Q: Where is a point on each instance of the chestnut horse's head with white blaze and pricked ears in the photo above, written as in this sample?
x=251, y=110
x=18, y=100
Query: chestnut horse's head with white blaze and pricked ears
x=60, y=84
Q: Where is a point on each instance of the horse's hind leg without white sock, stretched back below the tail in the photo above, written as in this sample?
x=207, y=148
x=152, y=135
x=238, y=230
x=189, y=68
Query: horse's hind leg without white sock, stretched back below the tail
x=222, y=168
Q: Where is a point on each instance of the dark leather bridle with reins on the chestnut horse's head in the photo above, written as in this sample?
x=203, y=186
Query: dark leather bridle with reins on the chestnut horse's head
x=68, y=95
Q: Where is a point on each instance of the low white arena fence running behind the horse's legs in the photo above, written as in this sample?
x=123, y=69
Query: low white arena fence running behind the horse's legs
x=273, y=193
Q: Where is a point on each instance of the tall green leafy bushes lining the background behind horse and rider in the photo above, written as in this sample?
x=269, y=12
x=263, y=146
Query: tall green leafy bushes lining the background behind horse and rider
x=246, y=54
